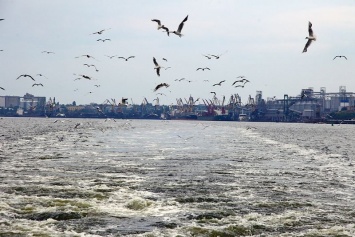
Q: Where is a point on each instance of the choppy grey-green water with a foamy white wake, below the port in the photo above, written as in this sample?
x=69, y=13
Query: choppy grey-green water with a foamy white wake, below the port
x=139, y=178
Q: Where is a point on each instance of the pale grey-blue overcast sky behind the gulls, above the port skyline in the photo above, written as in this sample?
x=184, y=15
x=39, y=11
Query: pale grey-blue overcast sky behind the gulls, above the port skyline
x=261, y=40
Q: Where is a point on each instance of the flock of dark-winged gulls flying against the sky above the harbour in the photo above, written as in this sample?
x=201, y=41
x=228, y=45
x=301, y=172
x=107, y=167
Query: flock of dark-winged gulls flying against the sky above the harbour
x=241, y=82
